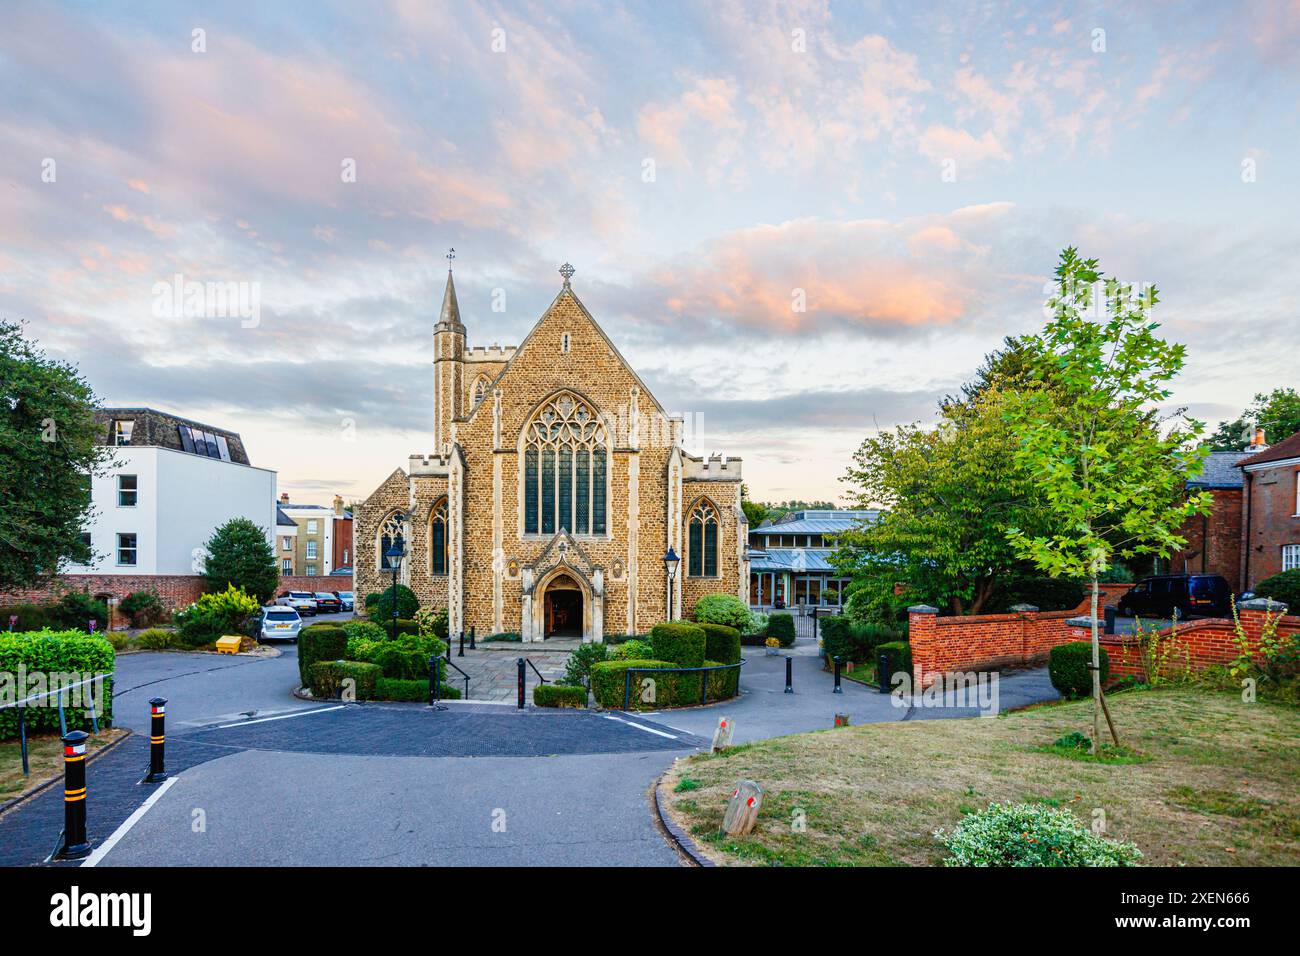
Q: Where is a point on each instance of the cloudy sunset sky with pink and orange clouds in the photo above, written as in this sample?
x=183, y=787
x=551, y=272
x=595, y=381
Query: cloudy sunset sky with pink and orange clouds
x=908, y=171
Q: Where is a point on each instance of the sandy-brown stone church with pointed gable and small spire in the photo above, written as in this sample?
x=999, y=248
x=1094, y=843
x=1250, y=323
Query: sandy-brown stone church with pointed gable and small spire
x=556, y=486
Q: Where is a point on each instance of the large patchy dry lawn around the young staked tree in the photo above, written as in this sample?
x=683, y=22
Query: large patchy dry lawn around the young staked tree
x=1207, y=781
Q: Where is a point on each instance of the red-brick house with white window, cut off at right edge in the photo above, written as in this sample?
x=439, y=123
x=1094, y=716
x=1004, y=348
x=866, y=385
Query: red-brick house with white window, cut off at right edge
x=1271, y=522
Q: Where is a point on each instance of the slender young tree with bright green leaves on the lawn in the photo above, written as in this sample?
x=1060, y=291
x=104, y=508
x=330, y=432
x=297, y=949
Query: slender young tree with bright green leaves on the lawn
x=1113, y=474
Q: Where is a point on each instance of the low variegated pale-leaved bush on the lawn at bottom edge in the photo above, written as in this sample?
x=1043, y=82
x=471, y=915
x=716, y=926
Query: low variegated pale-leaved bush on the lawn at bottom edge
x=1032, y=836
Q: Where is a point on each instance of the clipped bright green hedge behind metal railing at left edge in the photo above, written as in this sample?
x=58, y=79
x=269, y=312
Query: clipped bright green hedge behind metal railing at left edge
x=72, y=654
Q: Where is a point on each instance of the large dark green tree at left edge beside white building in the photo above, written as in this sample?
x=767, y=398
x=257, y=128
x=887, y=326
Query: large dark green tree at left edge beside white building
x=50, y=449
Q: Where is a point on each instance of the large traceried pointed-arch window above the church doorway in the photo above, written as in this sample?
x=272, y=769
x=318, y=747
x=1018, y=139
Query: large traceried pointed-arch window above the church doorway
x=566, y=468
